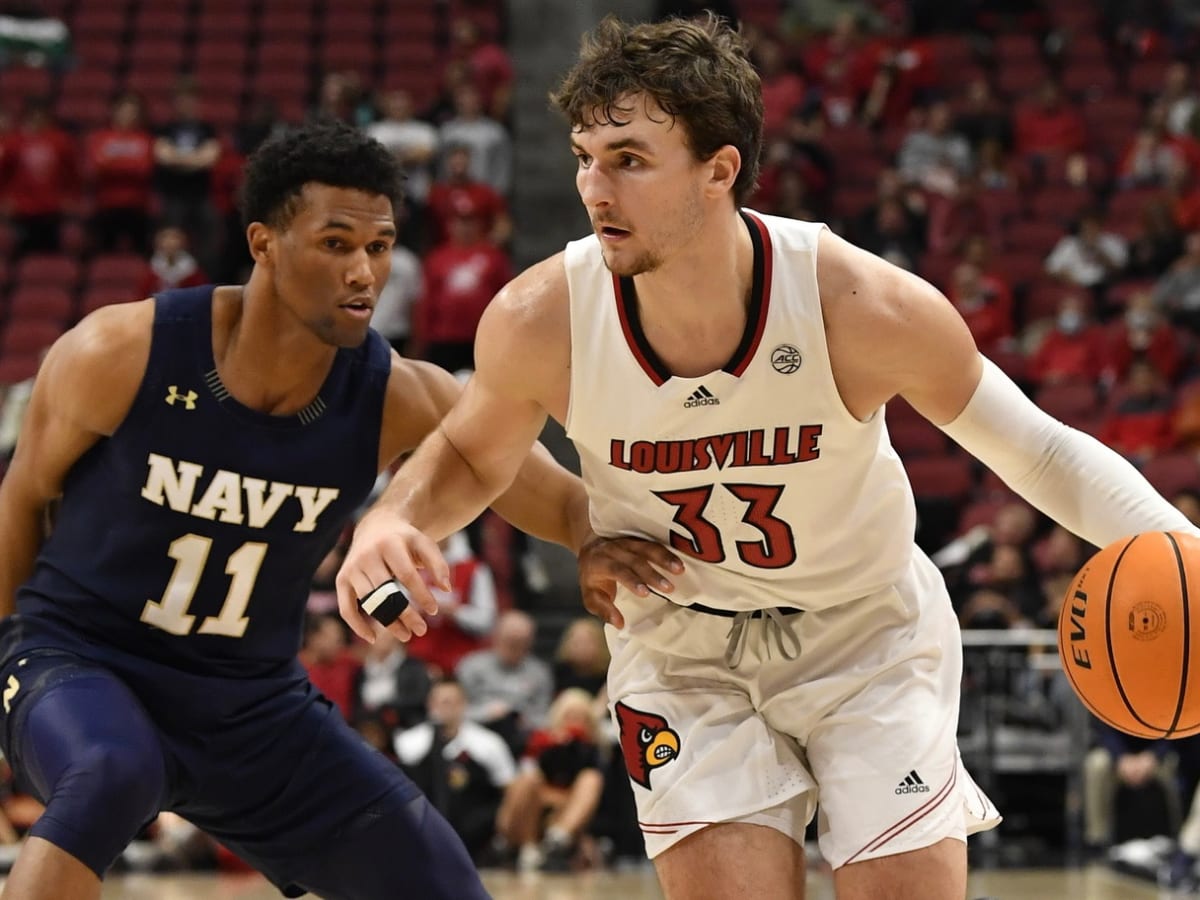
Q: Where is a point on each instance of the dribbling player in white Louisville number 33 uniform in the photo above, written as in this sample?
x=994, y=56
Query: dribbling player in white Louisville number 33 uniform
x=723, y=375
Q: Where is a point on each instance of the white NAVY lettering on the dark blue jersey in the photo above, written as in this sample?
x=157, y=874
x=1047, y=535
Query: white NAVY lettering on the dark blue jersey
x=231, y=497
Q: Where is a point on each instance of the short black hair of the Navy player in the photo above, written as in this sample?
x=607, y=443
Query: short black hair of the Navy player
x=325, y=152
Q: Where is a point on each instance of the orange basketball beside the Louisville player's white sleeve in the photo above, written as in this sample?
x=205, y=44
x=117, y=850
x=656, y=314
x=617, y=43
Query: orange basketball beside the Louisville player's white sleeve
x=1129, y=640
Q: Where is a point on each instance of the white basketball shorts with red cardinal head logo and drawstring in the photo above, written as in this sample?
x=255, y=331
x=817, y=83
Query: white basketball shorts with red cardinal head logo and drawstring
x=863, y=722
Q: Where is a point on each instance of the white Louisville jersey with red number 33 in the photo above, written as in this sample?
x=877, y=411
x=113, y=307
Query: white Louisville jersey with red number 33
x=758, y=473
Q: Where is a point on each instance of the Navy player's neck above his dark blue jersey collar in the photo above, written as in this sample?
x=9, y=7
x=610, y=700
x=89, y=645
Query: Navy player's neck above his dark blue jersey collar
x=268, y=364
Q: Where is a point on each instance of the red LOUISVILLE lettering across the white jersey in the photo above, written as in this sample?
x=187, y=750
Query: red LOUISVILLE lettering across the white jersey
x=736, y=449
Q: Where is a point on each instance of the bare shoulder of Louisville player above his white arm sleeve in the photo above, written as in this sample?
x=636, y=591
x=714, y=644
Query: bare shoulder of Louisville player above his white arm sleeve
x=890, y=333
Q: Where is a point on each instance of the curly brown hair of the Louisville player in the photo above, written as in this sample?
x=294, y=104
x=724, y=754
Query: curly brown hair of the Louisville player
x=697, y=70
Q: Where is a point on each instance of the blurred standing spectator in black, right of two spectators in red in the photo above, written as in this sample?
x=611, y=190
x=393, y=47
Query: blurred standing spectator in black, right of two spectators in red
x=187, y=152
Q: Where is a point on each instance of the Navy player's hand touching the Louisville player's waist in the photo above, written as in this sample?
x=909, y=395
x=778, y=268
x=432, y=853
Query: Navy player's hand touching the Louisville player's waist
x=634, y=563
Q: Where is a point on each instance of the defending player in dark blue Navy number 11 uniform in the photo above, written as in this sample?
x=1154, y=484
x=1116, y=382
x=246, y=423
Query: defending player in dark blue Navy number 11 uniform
x=208, y=447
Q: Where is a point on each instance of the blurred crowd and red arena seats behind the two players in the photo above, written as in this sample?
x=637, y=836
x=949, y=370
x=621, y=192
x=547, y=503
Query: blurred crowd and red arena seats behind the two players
x=1035, y=160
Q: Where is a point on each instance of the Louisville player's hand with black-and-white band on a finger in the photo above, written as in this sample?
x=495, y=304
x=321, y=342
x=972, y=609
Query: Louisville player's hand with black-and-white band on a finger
x=388, y=548
